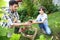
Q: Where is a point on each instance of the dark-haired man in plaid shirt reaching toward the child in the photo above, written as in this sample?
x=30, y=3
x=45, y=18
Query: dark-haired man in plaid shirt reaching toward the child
x=12, y=16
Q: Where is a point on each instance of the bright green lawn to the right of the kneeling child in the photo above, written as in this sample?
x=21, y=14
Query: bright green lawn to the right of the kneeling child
x=54, y=22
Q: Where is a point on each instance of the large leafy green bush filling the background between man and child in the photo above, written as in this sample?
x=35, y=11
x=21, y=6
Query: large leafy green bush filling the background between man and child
x=27, y=10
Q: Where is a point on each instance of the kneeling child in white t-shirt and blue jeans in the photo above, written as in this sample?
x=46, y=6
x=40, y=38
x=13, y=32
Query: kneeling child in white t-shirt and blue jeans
x=42, y=21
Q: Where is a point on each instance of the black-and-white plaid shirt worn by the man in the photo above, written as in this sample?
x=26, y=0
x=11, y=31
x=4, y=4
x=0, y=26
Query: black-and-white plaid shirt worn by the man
x=9, y=16
